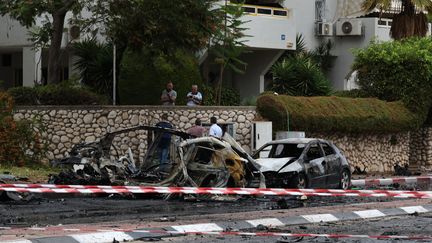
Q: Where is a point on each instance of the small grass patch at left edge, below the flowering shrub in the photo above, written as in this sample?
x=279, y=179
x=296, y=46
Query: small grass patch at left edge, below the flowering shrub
x=38, y=173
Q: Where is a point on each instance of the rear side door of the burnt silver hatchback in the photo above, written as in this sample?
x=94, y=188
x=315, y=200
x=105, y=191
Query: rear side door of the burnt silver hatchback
x=333, y=164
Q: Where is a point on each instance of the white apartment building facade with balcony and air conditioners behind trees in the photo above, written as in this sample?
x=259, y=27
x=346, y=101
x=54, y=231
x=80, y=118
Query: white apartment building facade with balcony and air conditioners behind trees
x=271, y=30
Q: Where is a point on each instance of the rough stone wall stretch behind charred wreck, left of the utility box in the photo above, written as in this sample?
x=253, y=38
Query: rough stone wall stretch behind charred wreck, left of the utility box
x=66, y=126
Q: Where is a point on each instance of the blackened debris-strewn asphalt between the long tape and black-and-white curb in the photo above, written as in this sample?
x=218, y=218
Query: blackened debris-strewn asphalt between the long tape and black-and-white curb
x=52, y=211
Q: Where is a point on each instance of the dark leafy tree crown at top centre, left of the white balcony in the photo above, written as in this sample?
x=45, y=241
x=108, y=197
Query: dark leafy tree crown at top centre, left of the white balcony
x=158, y=28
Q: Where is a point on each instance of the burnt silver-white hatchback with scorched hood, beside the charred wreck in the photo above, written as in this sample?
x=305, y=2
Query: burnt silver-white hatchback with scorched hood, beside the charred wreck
x=303, y=163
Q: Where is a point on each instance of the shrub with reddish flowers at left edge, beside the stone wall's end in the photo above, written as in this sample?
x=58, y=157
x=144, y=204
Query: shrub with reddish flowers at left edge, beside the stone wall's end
x=20, y=141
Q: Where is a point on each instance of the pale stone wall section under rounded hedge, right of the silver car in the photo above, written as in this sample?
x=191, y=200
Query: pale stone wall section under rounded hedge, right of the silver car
x=373, y=153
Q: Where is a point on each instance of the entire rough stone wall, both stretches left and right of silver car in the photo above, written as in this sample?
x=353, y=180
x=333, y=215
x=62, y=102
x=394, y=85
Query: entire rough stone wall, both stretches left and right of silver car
x=66, y=126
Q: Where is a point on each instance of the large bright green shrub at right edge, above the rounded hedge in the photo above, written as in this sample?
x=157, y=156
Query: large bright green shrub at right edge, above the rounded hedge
x=398, y=70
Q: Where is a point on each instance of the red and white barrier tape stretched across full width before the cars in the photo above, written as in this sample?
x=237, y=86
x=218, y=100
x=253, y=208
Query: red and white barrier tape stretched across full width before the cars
x=90, y=189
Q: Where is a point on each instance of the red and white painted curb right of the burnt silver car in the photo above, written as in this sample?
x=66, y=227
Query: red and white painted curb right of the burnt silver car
x=390, y=181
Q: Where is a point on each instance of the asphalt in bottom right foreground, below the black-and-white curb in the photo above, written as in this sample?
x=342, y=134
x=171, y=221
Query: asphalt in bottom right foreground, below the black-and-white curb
x=408, y=225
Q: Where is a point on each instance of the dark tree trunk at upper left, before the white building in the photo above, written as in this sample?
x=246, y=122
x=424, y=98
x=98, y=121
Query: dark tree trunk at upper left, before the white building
x=54, y=62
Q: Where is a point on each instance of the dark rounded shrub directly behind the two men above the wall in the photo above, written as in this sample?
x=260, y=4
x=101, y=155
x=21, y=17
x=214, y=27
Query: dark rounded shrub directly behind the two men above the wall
x=144, y=75
